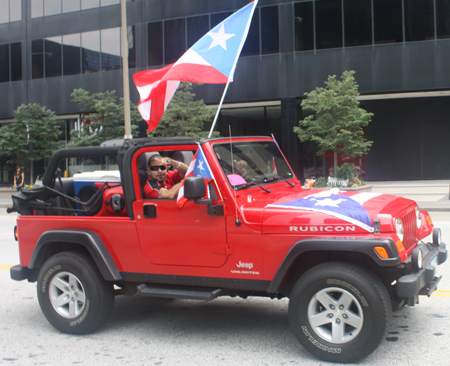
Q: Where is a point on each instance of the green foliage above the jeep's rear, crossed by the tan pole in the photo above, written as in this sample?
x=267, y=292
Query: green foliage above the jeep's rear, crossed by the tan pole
x=105, y=119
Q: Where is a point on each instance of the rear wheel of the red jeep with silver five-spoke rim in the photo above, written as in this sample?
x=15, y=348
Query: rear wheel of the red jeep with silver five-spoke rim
x=72, y=294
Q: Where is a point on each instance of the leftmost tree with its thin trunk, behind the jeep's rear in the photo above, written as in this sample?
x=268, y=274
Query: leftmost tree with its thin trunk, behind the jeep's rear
x=40, y=132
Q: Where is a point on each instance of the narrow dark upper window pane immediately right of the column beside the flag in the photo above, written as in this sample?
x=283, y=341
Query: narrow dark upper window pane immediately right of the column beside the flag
x=304, y=26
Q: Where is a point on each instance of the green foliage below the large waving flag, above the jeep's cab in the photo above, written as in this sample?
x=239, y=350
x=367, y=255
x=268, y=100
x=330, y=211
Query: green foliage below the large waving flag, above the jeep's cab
x=184, y=116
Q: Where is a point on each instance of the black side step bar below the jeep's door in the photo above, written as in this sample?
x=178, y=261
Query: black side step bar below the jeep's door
x=191, y=293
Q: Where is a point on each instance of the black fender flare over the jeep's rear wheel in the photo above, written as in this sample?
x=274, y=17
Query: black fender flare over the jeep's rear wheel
x=86, y=238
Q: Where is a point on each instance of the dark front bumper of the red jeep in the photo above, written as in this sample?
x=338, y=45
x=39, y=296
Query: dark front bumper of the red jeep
x=424, y=281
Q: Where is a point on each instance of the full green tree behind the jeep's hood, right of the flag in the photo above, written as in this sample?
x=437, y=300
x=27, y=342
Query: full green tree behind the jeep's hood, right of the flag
x=338, y=121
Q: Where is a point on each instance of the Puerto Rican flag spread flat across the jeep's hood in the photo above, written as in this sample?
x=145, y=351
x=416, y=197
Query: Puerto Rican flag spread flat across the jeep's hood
x=333, y=202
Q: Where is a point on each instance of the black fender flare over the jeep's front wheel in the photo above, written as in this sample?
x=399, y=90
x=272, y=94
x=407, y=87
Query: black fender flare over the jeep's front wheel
x=355, y=245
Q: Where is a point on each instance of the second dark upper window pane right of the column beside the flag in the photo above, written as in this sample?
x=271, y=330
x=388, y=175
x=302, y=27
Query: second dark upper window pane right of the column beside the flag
x=328, y=24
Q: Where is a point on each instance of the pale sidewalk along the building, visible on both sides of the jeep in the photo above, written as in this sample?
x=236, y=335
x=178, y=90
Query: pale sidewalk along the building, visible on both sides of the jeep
x=431, y=195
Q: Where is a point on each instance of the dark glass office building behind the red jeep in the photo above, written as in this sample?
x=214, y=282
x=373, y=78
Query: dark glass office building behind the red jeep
x=400, y=50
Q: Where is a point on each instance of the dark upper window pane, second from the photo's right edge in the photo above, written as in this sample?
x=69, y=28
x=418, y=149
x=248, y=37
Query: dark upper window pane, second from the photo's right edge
x=419, y=20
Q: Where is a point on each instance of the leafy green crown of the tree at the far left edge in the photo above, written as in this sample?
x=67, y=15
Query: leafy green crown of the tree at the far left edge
x=33, y=136
